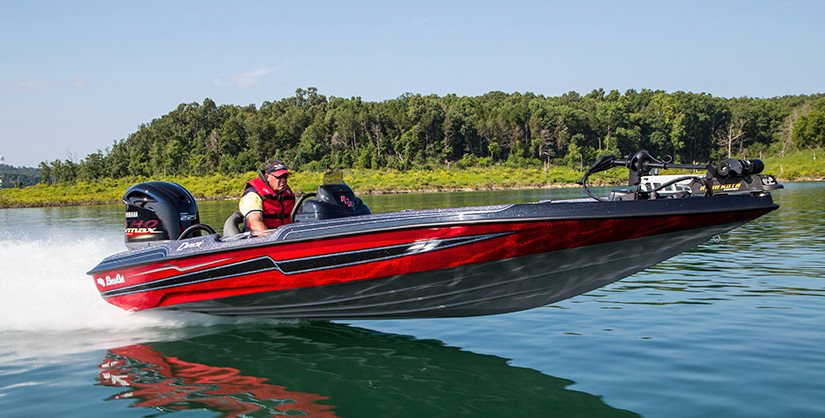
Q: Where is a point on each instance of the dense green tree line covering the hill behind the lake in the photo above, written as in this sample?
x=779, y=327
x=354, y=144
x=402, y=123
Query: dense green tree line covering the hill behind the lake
x=312, y=132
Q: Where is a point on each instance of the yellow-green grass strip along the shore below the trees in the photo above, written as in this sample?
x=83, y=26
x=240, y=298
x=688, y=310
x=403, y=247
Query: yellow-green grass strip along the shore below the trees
x=795, y=166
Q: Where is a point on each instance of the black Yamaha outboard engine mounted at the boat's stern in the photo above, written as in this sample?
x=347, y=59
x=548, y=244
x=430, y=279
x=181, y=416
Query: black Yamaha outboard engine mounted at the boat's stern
x=157, y=211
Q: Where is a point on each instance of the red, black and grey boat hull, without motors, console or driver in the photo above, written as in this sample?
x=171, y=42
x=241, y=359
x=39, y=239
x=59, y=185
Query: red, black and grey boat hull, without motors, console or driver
x=421, y=264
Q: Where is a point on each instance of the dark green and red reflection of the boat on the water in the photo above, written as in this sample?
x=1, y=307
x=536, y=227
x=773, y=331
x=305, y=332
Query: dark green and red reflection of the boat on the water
x=326, y=369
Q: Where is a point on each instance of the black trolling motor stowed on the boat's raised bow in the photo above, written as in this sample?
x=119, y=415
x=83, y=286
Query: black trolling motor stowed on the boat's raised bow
x=729, y=176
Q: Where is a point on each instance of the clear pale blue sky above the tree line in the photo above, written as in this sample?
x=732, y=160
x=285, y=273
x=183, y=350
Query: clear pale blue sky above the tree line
x=78, y=75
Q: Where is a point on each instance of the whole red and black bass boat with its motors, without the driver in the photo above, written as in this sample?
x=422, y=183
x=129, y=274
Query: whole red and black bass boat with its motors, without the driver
x=337, y=260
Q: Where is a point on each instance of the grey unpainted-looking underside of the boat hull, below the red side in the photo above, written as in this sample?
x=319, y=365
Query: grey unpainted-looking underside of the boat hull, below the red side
x=490, y=288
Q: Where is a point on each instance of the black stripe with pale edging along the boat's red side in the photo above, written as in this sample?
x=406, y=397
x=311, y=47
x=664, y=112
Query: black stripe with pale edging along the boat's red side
x=296, y=266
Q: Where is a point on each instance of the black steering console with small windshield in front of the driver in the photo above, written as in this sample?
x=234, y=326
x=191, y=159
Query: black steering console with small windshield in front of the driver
x=334, y=199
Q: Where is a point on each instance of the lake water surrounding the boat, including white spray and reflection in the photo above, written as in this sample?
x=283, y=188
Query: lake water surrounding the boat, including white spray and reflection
x=734, y=327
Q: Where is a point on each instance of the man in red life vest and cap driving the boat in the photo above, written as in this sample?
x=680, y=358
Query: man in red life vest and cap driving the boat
x=267, y=200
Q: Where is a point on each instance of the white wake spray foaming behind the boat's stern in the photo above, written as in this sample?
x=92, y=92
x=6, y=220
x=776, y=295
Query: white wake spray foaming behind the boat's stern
x=44, y=287
